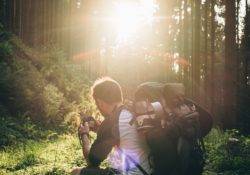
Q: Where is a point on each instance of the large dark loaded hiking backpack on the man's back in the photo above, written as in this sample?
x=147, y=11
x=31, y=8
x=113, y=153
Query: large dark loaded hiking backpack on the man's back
x=173, y=126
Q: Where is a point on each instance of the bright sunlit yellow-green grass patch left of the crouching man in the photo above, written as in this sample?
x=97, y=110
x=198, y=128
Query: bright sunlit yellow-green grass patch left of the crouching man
x=42, y=157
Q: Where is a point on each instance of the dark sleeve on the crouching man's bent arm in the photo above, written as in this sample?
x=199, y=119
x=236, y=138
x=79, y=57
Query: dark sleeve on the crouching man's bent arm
x=107, y=138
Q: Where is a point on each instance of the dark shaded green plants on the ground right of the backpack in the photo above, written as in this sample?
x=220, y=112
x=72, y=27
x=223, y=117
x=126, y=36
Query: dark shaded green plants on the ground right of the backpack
x=228, y=152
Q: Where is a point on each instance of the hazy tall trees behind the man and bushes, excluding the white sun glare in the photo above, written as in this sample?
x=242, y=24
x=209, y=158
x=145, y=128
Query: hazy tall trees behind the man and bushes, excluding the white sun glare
x=207, y=40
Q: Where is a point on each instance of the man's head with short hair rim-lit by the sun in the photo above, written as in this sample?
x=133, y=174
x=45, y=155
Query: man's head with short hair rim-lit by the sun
x=107, y=94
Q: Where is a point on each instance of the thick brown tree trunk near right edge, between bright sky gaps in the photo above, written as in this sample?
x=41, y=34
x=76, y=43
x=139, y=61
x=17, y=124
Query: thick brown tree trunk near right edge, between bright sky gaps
x=230, y=65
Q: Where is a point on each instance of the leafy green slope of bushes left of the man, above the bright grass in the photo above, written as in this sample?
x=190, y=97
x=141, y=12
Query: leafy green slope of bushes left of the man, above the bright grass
x=39, y=85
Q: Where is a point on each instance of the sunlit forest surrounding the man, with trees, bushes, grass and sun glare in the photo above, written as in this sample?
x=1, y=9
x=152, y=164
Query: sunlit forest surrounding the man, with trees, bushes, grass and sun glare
x=51, y=52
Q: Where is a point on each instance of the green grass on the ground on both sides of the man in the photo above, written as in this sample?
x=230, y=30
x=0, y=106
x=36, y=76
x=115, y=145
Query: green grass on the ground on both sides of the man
x=57, y=155
